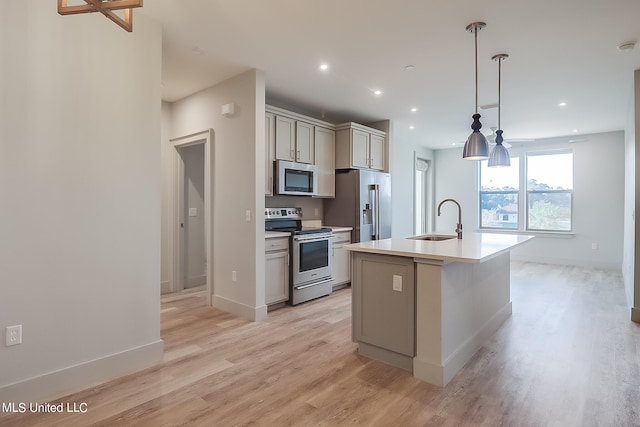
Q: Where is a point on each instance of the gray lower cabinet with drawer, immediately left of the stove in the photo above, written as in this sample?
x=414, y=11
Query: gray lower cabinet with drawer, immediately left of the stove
x=276, y=270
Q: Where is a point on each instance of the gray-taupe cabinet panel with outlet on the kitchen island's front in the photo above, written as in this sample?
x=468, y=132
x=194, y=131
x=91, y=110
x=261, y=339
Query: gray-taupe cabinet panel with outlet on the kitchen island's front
x=384, y=302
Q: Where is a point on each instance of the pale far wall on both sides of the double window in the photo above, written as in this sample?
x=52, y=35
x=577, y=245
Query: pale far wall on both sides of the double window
x=598, y=201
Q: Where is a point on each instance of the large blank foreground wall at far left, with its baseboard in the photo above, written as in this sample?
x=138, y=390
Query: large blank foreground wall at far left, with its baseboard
x=80, y=199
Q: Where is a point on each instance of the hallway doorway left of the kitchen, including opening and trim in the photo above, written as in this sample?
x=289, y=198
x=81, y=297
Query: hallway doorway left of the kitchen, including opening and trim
x=192, y=213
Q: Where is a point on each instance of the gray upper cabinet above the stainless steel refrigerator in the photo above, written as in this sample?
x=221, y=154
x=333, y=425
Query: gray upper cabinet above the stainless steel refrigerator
x=359, y=146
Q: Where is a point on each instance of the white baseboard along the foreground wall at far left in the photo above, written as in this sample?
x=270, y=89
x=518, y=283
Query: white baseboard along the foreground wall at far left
x=84, y=375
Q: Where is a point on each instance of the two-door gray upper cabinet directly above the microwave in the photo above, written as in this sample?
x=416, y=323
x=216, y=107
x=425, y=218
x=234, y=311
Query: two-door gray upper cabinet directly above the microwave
x=294, y=140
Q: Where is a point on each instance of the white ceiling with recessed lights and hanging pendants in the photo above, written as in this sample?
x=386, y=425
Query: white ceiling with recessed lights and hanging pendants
x=559, y=51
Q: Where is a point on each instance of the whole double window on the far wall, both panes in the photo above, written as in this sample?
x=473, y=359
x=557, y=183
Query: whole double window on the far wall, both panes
x=536, y=197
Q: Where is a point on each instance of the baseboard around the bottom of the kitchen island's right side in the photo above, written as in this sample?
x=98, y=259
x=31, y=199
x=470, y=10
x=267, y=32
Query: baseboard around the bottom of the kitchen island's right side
x=441, y=375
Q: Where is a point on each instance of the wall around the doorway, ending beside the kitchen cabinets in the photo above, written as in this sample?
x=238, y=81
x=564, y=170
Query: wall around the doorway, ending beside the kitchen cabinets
x=238, y=186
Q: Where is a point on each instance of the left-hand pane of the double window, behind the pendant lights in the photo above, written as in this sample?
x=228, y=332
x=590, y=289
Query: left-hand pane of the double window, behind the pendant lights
x=499, y=190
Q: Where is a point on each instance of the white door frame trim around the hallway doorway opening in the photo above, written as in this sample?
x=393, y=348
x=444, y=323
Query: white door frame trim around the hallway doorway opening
x=204, y=137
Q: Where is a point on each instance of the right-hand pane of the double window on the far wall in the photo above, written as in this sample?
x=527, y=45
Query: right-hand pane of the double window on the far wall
x=549, y=191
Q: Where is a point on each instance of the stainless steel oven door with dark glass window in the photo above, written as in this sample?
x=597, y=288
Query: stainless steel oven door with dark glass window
x=311, y=258
